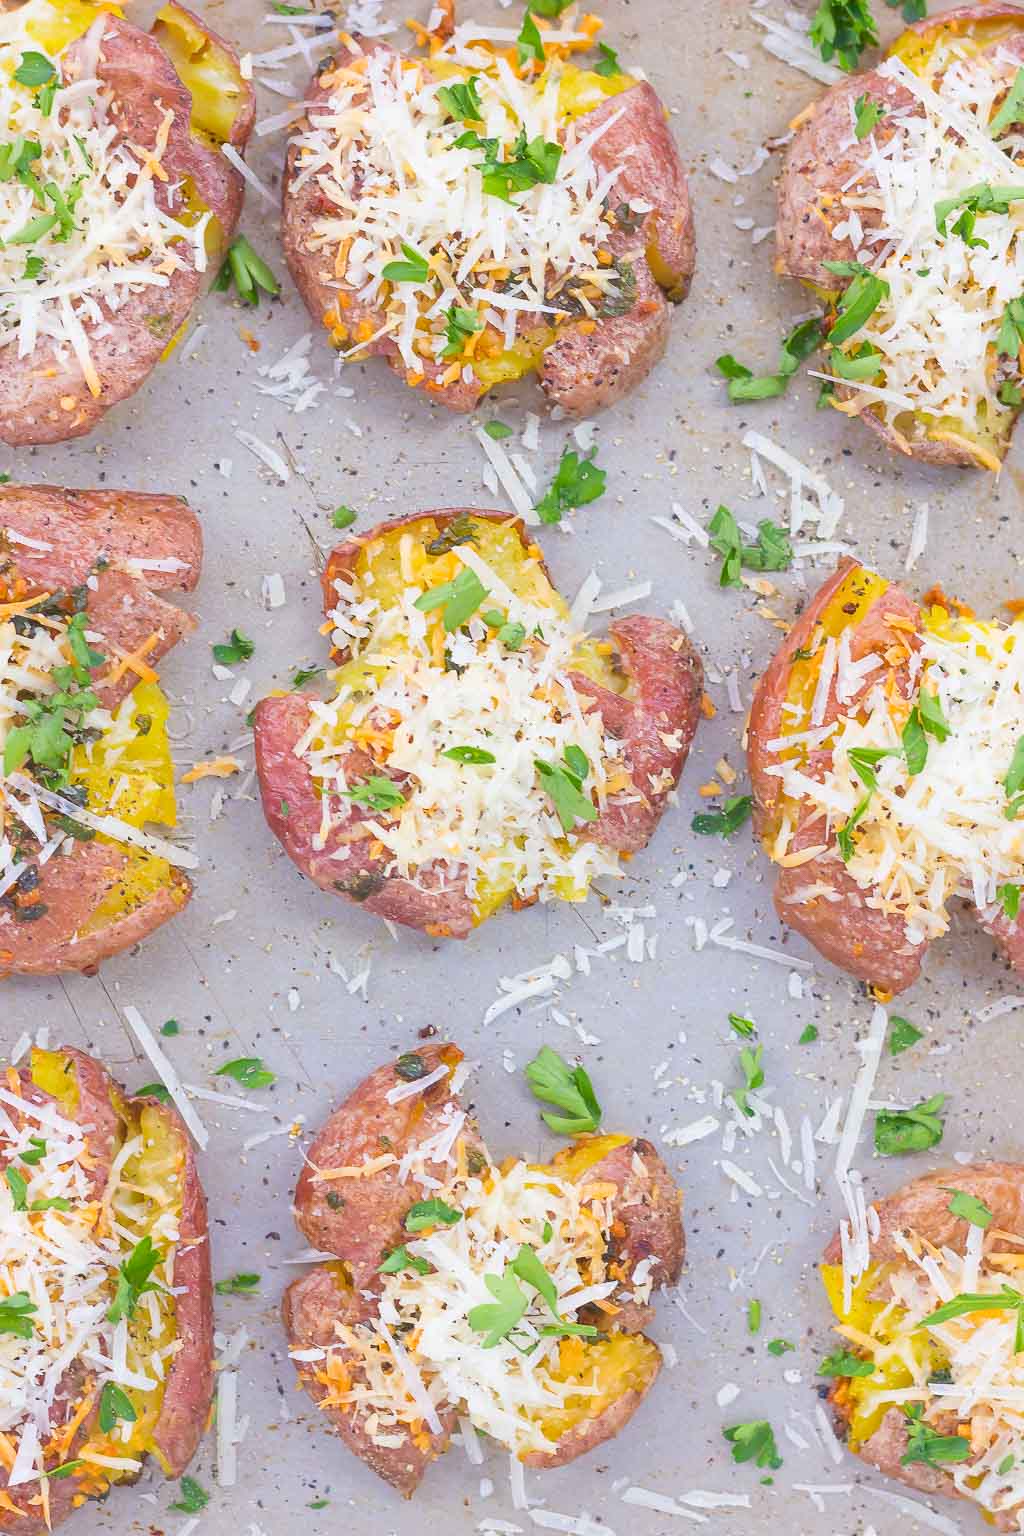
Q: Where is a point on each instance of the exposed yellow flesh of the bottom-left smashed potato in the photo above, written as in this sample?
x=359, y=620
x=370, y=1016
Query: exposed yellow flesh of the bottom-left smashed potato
x=154, y=1180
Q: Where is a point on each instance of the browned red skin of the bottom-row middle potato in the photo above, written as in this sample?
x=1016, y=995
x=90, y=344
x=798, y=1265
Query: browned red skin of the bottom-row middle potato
x=647, y=1219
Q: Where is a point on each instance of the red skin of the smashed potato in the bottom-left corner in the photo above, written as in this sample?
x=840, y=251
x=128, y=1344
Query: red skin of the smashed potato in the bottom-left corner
x=190, y=1388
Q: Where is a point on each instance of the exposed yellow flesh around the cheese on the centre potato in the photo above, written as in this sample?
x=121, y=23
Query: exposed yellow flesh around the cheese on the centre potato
x=398, y=560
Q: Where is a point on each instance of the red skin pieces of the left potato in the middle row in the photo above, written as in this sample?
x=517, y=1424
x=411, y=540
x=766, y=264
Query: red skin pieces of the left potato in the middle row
x=85, y=528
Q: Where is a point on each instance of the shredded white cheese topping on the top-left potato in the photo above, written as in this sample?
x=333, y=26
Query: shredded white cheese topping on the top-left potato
x=91, y=220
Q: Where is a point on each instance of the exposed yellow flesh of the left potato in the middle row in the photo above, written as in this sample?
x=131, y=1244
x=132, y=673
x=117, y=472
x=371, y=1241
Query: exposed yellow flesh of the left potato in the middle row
x=136, y=784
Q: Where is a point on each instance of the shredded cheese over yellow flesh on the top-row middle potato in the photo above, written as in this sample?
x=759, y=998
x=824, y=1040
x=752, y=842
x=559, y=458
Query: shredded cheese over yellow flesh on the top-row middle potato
x=385, y=157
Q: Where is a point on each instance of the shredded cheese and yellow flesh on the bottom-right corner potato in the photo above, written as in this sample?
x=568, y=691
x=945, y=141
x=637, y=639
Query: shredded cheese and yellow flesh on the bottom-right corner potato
x=965, y=1375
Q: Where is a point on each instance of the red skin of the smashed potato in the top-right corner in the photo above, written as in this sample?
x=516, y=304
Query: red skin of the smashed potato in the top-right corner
x=818, y=165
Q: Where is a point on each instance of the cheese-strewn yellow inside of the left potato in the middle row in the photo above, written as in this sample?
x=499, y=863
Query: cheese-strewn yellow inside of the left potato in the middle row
x=121, y=764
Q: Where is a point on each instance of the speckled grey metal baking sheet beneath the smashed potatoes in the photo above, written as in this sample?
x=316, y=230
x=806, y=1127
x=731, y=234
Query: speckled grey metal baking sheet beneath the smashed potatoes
x=259, y=962
